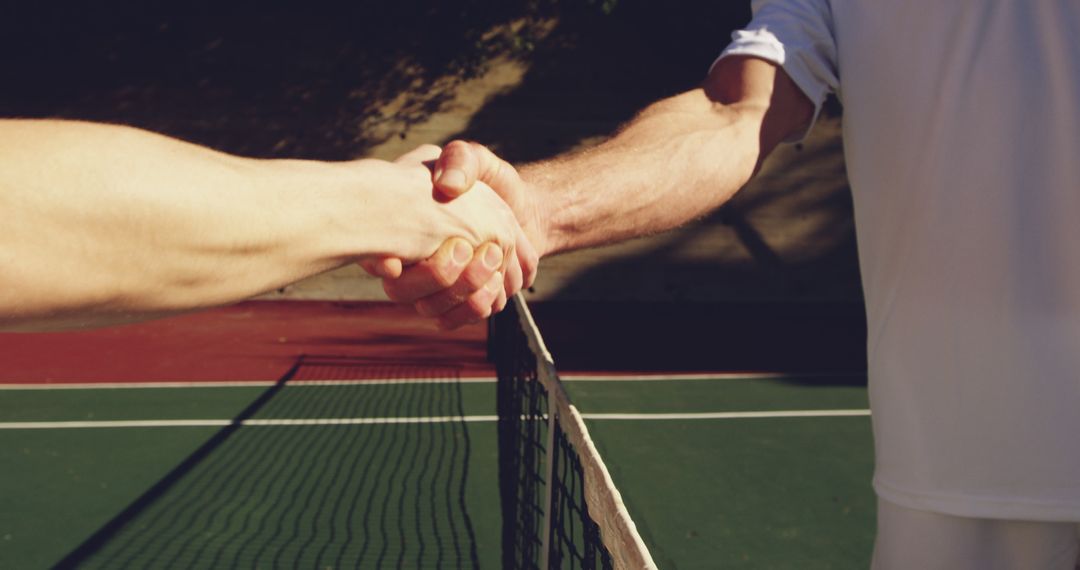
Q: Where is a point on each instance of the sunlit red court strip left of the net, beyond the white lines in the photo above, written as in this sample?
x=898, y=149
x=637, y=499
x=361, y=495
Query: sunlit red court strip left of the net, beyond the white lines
x=251, y=342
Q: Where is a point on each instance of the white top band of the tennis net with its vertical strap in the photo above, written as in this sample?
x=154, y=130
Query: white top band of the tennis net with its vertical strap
x=603, y=498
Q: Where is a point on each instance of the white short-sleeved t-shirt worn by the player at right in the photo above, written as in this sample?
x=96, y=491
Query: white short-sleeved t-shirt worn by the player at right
x=963, y=141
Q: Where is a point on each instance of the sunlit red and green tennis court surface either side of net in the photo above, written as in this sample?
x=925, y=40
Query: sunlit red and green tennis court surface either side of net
x=381, y=450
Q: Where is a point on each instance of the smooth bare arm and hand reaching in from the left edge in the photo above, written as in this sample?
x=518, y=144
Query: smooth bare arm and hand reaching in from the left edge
x=109, y=224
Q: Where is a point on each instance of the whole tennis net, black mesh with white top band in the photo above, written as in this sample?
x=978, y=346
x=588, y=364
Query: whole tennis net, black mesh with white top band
x=560, y=507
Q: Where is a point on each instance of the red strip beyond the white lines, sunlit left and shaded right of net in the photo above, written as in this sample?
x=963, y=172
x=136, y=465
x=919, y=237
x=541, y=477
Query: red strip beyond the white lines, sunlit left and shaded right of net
x=263, y=341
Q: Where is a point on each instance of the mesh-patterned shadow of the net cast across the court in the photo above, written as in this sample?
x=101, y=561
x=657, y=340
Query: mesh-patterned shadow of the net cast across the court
x=312, y=496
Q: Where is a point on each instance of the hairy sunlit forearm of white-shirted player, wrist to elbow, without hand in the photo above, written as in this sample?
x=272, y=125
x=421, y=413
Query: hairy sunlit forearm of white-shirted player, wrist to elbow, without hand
x=679, y=160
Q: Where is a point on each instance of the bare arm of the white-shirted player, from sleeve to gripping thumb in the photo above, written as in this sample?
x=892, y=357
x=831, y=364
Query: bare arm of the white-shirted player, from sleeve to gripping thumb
x=678, y=160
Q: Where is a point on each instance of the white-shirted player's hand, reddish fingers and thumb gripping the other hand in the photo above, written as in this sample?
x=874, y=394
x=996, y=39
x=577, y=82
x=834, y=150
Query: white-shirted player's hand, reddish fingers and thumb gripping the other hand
x=451, y=289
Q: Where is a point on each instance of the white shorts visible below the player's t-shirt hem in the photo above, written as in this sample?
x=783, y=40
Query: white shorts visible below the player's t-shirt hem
x=910, y=539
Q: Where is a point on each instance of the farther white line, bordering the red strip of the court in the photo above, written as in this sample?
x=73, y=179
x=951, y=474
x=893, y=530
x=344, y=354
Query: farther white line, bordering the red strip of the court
x=469, y=381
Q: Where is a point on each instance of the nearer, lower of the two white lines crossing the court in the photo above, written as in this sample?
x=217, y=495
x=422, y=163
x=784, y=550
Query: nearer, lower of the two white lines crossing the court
x=413, y=422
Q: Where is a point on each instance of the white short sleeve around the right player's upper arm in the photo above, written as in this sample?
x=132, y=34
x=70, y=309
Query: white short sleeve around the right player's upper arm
x=798, y=36
